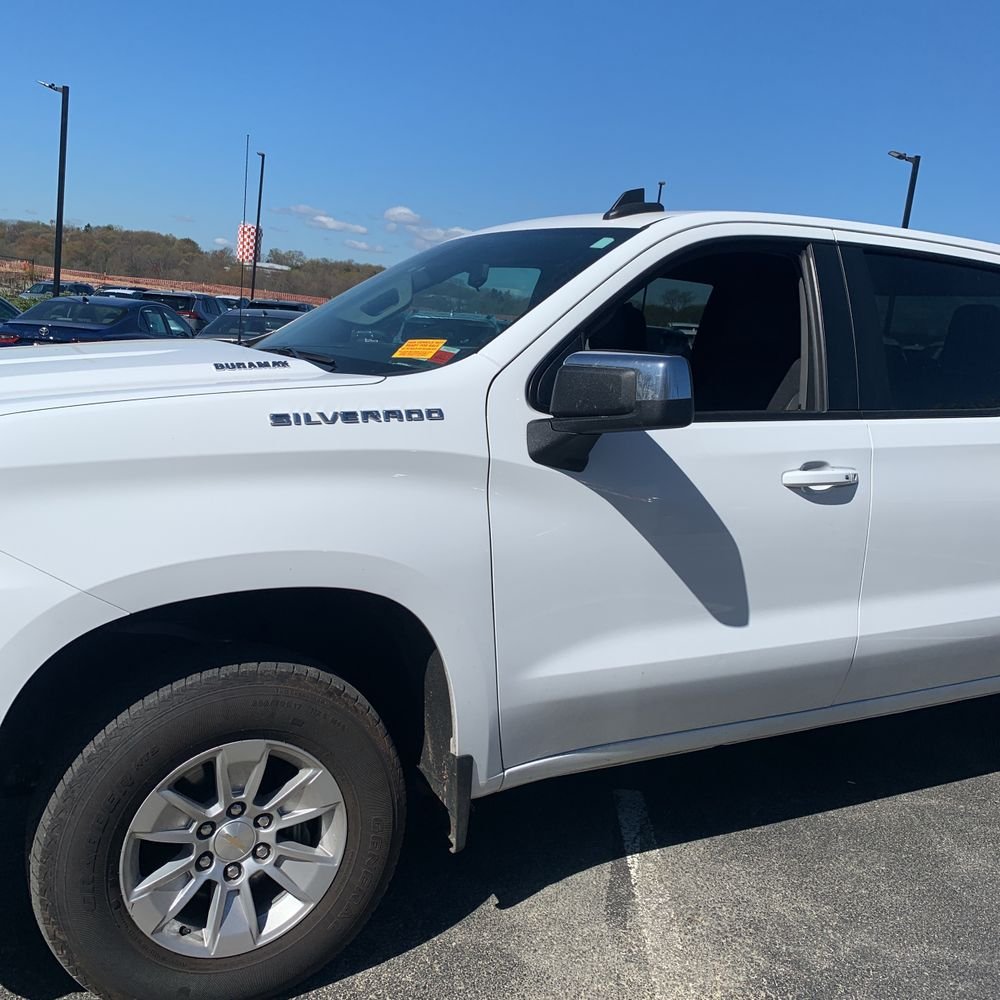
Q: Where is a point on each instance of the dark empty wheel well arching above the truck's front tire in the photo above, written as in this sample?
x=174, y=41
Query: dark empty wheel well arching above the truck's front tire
x=375, y=644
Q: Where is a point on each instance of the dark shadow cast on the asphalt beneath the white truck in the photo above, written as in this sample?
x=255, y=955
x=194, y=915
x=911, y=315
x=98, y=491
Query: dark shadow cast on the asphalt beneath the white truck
x=532, y=837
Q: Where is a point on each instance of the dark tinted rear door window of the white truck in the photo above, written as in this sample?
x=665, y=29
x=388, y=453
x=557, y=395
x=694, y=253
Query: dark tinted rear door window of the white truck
x=929, y=331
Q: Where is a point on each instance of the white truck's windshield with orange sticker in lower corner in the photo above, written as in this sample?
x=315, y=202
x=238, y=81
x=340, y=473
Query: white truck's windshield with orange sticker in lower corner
x=446, y=303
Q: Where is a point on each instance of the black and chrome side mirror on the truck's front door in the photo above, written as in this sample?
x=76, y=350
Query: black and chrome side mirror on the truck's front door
x=597, y=392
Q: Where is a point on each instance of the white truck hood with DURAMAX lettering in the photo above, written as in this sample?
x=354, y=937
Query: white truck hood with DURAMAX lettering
x=43, y=377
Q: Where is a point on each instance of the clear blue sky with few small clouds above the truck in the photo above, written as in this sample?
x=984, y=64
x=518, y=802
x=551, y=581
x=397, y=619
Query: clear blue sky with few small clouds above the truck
x=456, y=115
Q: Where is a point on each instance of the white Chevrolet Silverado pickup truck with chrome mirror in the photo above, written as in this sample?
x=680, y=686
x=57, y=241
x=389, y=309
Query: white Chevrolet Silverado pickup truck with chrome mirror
x=549, y=497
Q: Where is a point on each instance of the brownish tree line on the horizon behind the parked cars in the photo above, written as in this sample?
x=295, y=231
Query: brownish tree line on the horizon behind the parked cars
x=145, y=254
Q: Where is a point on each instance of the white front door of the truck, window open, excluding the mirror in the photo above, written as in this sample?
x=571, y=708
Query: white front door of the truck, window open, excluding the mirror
x=687, y=578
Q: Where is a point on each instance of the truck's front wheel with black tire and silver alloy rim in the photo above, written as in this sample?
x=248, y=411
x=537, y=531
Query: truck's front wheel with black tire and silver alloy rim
x=122, y=819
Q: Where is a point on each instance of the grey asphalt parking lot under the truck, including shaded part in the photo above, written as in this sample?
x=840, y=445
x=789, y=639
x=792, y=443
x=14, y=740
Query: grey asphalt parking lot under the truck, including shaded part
x=856, y=862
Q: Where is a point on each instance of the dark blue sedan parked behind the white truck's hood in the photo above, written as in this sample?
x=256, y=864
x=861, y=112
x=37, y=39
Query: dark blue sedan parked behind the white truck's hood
x=74, y=318
